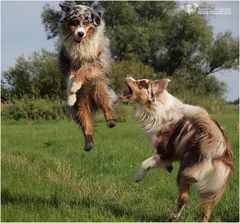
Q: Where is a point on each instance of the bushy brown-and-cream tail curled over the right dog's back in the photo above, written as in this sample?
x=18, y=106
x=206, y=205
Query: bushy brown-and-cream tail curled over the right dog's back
x=209, y=133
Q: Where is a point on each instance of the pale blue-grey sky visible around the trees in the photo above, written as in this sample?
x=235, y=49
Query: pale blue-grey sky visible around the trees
x=22, y=33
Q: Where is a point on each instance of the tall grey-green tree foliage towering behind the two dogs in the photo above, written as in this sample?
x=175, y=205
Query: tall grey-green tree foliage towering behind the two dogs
x=161, y=36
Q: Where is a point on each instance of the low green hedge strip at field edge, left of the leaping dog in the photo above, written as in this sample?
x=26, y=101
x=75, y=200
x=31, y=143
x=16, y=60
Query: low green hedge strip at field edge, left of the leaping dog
x=33, y=110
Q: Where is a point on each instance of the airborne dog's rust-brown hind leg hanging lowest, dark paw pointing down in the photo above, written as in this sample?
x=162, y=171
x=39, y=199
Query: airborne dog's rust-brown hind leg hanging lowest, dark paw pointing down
x=85, y=117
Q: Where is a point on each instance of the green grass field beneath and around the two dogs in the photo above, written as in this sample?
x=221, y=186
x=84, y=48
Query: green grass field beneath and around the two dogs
x=46, y=176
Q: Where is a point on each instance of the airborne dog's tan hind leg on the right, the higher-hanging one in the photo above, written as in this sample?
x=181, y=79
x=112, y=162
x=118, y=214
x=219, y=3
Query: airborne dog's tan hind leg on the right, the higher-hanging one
x=103, y=101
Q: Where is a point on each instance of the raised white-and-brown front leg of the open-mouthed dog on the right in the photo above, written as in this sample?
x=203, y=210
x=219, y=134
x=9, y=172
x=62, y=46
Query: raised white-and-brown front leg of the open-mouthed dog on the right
x=153, y=161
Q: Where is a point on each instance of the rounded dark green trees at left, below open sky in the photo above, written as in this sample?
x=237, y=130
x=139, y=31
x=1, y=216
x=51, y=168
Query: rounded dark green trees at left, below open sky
x=37, y=76
